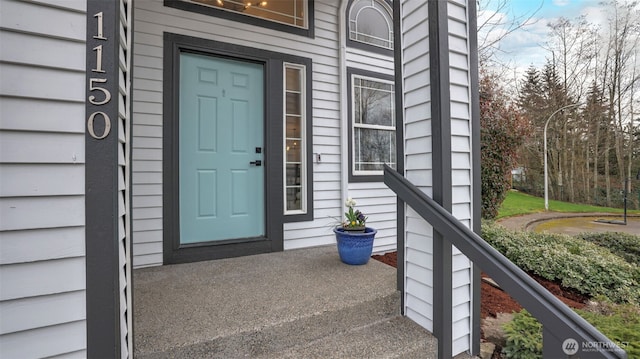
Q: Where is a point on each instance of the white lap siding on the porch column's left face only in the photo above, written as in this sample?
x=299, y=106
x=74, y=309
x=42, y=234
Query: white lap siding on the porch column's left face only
x=418, y=160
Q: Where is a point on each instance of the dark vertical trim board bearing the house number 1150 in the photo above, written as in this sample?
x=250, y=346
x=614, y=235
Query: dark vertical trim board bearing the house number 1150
x=101, y=180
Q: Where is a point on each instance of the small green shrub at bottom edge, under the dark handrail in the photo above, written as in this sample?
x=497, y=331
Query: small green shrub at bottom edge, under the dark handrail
x=523, y=337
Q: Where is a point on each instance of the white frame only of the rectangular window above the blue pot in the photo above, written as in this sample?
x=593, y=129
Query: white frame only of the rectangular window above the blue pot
x=355, y=126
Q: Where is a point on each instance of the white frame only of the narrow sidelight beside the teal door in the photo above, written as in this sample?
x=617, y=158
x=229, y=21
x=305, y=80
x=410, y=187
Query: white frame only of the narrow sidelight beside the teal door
x=304, y=187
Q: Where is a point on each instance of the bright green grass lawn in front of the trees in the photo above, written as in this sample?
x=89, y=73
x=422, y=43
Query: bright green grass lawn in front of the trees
x=518, y=203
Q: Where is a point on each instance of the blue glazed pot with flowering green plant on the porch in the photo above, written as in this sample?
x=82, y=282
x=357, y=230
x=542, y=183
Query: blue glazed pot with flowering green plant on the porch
x=353, y=237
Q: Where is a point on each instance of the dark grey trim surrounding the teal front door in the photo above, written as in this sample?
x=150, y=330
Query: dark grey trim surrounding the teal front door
x=173, y=251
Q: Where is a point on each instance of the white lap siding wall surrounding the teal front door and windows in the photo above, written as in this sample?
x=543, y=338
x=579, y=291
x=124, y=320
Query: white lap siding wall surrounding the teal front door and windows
x=151, y=20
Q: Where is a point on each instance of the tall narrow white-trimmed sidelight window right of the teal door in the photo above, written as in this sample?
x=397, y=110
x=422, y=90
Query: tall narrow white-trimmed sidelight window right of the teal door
x=295, y=146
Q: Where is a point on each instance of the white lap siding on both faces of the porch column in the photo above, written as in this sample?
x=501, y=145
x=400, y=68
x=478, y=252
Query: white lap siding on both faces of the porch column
x=419, y=265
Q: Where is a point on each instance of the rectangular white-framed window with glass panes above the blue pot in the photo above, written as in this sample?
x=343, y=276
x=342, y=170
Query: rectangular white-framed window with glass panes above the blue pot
x=373, y=125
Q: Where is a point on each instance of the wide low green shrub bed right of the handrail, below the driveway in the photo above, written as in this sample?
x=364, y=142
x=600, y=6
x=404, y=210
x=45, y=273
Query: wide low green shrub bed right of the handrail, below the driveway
x=583, y=266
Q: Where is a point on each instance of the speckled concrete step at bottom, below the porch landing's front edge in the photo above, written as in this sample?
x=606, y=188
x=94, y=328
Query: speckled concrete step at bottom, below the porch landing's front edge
x=307, y=334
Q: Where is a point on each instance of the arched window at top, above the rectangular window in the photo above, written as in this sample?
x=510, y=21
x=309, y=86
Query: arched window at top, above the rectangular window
x=371, y=22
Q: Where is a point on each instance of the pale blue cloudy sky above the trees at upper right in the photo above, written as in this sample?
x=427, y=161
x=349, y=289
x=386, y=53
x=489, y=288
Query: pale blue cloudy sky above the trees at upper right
x=524, y=47
